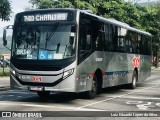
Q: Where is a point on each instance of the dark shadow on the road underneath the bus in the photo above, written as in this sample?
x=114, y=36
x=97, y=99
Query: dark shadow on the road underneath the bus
x=58, y=97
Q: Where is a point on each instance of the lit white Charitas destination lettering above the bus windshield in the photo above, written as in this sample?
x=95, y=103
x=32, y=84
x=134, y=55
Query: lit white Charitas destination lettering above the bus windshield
x=45, y=17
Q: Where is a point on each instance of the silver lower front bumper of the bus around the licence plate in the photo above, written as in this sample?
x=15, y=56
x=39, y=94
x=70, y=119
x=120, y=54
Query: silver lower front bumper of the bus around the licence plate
x=66, y=85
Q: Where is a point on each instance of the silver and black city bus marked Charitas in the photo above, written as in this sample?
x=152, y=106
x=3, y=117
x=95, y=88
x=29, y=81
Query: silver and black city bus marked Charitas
x=71, y=50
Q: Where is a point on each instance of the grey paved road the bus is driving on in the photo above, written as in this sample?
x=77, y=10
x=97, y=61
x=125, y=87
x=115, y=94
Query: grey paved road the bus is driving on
x=145, y=98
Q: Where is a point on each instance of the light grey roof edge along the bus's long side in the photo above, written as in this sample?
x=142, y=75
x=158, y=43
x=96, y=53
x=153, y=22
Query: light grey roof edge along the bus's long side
x=116, y=22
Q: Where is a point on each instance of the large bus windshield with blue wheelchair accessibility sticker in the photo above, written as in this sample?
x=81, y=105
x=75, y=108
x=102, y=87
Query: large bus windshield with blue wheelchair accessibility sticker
x=44, y=42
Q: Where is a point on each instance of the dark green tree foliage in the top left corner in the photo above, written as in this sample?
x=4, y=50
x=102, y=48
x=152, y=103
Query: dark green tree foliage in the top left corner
x=5, y=9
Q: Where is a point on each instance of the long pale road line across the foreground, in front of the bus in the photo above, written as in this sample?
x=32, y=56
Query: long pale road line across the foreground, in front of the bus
x=46, y=106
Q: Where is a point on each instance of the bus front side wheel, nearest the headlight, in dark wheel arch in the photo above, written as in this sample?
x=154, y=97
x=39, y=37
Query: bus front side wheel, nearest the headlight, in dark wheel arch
x=93, y=92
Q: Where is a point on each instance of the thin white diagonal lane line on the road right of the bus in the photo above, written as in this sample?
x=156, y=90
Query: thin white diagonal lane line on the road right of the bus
x=116, y=97
